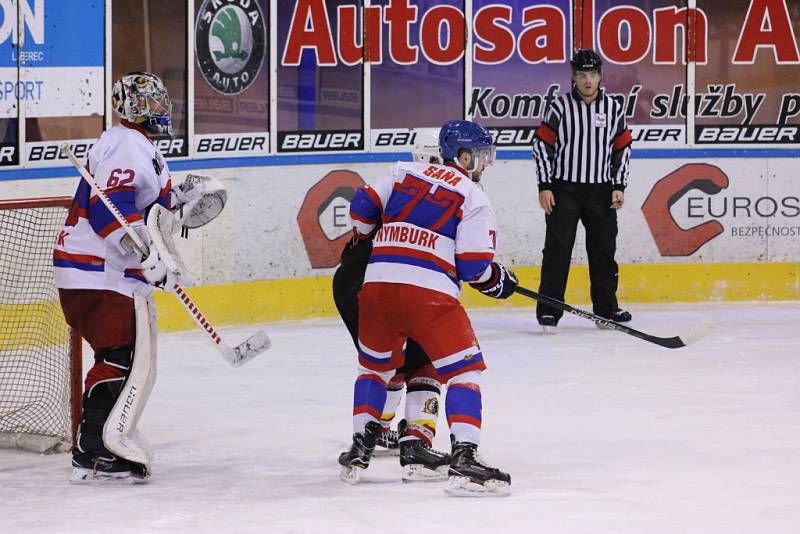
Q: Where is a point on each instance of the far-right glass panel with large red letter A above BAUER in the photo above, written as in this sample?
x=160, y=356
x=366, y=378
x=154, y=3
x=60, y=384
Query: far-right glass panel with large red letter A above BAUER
x=747, y=90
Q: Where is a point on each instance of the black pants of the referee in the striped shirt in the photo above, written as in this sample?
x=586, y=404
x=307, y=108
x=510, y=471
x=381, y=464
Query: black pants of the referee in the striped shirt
x=589, y=204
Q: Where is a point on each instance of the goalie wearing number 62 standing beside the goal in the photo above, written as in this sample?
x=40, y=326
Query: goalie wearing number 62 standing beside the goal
x=105, y=284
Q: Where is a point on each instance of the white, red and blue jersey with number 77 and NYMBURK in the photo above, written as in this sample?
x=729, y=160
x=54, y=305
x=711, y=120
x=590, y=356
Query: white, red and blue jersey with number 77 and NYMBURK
x=437, y=228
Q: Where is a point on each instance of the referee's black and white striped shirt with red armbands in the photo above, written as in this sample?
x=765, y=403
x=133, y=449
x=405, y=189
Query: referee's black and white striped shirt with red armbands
x=583, y=143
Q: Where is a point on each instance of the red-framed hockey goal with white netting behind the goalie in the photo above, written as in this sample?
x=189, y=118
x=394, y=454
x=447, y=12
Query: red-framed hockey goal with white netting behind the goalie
x=40, y=356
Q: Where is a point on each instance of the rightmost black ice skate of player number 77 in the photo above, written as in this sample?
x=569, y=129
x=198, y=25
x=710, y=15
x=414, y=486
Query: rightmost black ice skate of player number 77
x=470, y=477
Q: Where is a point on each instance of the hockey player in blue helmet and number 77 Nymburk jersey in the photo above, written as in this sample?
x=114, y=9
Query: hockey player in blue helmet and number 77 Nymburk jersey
x=437, y=229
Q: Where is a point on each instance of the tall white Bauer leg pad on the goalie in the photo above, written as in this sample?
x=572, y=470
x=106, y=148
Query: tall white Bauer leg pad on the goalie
x=120, y=435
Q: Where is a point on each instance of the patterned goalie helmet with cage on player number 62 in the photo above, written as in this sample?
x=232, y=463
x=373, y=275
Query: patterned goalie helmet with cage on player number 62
x=141, y=98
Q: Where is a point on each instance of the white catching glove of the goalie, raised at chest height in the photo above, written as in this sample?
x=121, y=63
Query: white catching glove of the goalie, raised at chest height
x=198, y=201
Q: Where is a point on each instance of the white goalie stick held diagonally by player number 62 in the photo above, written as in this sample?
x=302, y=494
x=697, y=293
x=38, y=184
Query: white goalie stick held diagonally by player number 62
x=235, y=356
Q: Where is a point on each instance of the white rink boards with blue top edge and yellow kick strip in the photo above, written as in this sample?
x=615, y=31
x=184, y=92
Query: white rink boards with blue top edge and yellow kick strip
x=692, y=229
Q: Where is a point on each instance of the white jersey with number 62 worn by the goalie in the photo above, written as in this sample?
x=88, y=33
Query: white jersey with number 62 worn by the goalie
x=88, y=253
